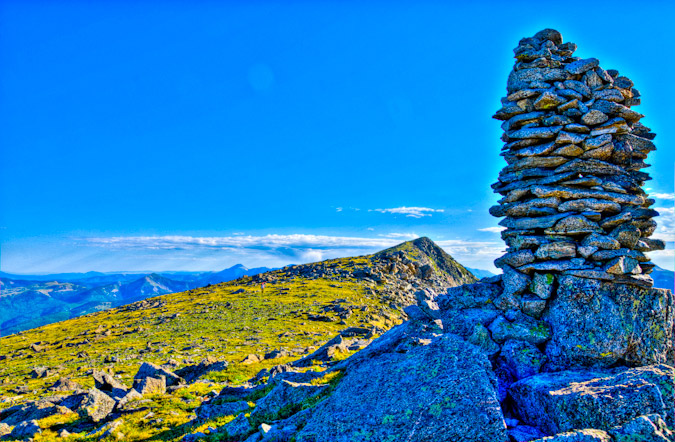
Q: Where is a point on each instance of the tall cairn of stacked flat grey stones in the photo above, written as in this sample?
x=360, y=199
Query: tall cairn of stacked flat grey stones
x=572, y=191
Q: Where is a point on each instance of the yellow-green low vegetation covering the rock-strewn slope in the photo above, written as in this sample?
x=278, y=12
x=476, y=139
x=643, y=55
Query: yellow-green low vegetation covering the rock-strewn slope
x=226, y=321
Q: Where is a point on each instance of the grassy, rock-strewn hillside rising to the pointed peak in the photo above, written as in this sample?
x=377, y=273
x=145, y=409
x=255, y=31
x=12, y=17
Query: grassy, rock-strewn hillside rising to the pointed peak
x=343, y=302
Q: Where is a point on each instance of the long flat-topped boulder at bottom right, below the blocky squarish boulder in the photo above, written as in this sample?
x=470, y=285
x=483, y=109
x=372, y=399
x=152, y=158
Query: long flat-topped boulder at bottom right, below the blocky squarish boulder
x=599, y=399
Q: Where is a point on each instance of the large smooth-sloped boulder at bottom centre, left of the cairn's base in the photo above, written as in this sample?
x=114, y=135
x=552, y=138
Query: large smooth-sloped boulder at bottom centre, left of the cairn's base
x=443, y=391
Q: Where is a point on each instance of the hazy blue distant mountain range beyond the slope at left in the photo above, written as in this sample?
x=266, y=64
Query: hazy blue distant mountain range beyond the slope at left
x=29, y=301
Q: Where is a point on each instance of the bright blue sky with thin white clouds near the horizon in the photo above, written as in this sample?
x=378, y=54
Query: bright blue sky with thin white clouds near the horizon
x=196, y=135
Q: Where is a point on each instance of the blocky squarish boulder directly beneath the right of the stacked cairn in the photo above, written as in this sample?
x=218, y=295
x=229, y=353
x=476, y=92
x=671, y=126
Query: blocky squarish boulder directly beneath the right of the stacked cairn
x=597, y=324
